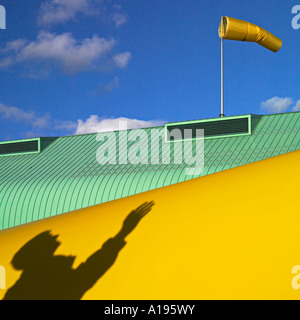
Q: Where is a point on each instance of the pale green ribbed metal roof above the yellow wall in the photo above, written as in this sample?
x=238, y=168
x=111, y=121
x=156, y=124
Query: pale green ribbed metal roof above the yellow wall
x=66, y=176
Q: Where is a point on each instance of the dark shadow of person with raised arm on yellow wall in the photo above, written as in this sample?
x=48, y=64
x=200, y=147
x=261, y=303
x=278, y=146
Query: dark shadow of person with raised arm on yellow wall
x=49, y=277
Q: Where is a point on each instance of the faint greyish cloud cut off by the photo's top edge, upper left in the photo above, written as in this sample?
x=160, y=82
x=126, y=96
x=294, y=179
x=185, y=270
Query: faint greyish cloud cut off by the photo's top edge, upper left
x=60, y=11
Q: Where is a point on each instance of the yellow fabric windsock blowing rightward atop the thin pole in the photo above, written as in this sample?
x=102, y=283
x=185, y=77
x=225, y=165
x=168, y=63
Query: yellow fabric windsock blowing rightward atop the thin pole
x=235, y=29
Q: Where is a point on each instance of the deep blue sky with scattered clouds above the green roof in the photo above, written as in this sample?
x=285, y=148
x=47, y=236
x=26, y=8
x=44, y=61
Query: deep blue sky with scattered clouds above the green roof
x=75, y=66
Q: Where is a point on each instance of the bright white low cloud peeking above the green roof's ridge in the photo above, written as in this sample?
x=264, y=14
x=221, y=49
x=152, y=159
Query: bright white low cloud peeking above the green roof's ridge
x=96, y=124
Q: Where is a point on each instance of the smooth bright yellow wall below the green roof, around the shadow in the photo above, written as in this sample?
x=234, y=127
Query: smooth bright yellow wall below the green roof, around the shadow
x=230, y=235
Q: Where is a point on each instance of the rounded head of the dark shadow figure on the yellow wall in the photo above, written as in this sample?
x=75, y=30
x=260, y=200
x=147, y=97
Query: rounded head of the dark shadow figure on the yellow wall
x=39, y=249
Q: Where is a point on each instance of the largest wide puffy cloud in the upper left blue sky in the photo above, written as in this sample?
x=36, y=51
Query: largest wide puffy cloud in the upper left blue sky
x=63, y=50
